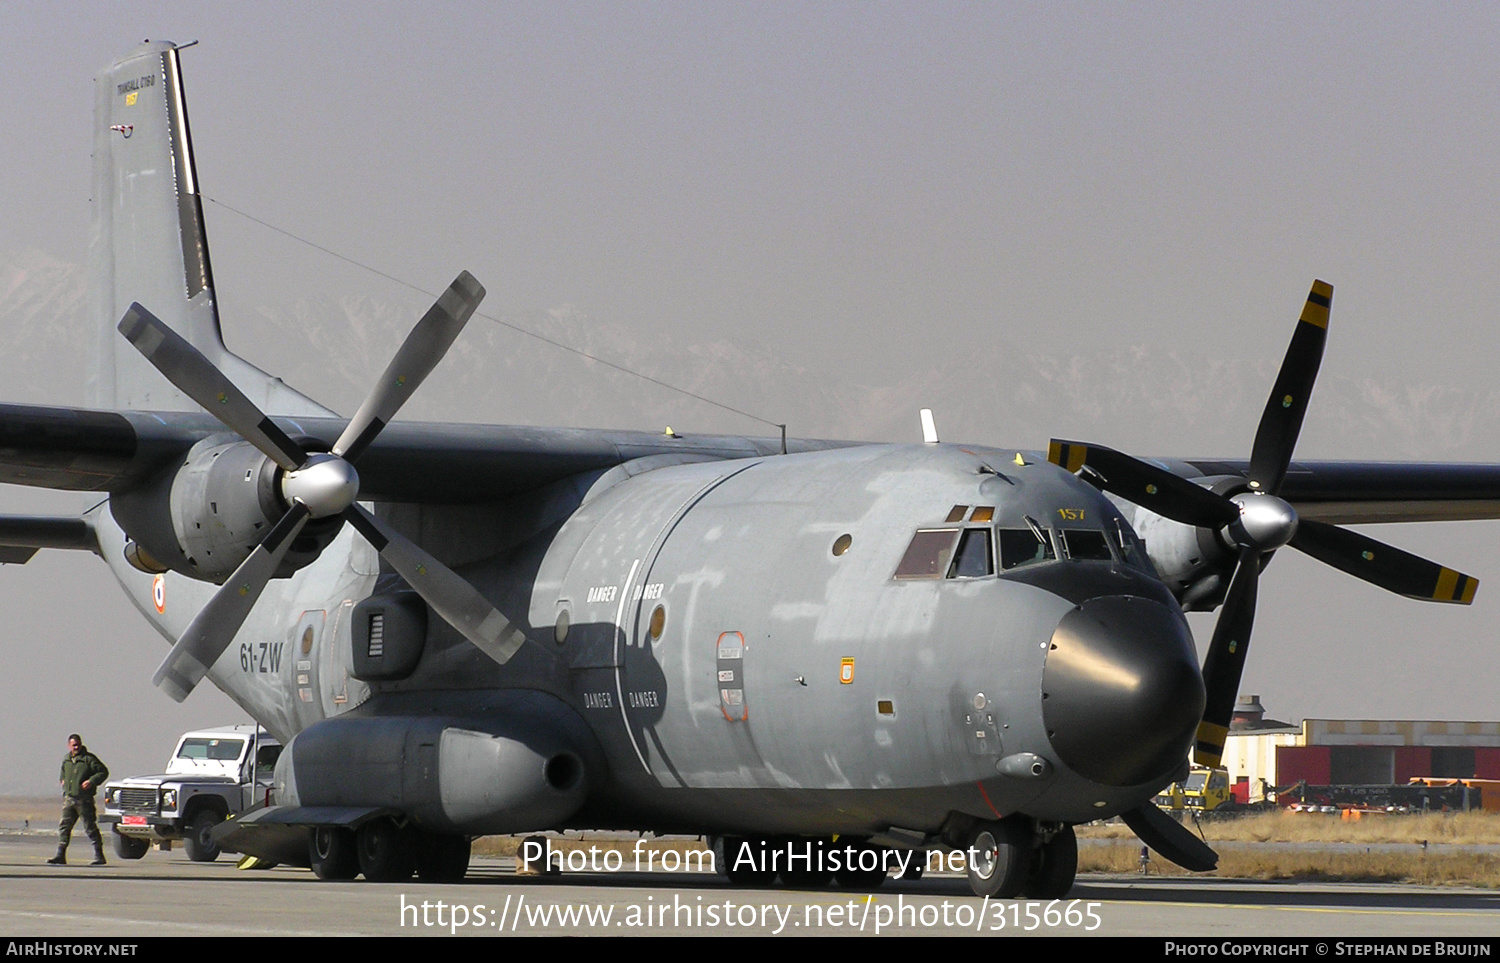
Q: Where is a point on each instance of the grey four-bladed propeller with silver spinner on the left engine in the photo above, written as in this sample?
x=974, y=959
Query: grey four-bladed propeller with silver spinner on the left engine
x=320, y=485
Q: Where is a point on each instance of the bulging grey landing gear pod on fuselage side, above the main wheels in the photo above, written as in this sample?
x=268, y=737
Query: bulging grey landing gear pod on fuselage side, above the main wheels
x=523, y=764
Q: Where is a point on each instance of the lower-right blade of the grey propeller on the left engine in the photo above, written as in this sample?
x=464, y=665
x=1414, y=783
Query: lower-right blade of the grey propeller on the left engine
x=449, y=593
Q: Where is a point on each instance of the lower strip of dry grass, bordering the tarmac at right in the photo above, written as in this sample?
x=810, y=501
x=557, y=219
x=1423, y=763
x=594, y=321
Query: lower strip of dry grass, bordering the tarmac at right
x=1463, y=869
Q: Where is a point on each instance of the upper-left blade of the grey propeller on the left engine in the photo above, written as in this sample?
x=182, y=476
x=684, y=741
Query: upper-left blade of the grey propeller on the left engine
x=196, y=377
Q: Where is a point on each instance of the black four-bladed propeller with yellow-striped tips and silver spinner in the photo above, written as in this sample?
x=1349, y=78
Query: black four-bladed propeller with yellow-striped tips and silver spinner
x=1258, y=523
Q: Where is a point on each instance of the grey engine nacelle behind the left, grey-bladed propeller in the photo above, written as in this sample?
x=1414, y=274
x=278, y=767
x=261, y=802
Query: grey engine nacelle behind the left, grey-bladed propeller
x=205, y=518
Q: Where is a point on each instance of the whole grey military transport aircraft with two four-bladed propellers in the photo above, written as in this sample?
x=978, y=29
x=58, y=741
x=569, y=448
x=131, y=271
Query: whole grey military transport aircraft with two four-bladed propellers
x=841, y=653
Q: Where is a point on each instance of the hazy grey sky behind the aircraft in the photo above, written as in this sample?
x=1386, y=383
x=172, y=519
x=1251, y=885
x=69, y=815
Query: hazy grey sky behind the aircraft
x=862, y=188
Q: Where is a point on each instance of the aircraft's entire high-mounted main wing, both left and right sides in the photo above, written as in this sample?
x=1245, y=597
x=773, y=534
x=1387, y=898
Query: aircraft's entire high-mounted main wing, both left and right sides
x=80, y=449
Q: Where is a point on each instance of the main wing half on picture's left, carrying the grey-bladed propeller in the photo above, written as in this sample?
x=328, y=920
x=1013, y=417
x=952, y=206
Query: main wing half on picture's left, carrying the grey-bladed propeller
x=79, y=449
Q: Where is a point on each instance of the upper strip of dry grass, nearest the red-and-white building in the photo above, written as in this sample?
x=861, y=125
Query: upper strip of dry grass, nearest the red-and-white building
x=1283, y=827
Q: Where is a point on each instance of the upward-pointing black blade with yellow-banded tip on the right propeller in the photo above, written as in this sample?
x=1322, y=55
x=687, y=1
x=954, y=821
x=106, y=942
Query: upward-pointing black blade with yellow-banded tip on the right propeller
x=1288, y=406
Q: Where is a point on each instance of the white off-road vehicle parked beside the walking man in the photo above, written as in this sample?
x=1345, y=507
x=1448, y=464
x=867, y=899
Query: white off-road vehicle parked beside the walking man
x=212, y=775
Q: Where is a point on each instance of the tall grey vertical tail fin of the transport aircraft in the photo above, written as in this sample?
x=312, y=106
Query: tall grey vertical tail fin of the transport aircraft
x=148, y=242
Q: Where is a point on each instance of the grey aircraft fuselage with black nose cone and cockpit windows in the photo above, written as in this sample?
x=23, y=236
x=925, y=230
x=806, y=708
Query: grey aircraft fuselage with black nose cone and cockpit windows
x=710, y=622
